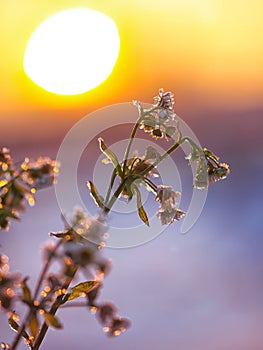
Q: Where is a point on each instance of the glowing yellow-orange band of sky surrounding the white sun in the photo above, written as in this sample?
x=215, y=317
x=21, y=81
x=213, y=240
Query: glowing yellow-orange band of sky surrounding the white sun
x=210, y=49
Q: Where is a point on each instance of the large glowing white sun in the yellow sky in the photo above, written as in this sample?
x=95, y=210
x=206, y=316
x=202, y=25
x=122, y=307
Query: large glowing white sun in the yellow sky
x=72, y=52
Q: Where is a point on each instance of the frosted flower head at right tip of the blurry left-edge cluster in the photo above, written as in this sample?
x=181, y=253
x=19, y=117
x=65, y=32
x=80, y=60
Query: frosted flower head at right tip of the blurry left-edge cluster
x=40, y=173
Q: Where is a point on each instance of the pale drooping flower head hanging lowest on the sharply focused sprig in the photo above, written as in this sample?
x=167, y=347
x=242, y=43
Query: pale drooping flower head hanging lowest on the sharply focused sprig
x=168, y=212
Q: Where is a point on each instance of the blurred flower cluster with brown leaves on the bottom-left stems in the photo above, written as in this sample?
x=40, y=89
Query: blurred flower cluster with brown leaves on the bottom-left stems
x=75, y=256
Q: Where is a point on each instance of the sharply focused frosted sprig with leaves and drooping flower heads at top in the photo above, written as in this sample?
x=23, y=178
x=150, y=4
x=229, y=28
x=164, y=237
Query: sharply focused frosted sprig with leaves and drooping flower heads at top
x=137, y=171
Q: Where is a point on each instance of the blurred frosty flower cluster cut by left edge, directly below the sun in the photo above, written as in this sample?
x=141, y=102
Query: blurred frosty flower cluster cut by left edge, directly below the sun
x=18, y=183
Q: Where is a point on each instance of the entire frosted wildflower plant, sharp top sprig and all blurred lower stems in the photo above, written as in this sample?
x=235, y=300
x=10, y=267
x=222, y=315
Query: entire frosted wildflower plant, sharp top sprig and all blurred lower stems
x=73, y=264
